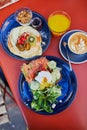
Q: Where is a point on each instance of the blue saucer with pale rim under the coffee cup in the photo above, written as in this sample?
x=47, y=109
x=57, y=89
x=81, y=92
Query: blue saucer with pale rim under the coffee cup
x=75, y=58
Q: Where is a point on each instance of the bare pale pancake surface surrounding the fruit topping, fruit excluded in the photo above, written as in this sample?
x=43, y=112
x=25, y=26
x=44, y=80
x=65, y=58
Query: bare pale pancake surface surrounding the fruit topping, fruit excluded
x=34, y=50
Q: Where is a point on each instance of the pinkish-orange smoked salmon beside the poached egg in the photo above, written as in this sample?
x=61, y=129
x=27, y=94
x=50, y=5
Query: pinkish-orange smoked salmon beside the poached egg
x=30, y=70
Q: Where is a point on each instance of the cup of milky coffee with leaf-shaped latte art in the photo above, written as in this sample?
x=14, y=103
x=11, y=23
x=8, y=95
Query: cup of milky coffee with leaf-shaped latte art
x=77, y=42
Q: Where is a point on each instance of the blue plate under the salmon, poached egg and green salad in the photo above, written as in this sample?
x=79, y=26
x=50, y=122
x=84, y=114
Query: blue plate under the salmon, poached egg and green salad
x=68, y=83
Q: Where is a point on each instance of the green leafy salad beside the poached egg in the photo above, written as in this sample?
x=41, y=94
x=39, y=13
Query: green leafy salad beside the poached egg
x=43, y=100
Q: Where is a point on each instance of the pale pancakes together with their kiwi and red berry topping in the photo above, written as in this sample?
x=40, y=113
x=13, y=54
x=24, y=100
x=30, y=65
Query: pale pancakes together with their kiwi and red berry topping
x=24, y=41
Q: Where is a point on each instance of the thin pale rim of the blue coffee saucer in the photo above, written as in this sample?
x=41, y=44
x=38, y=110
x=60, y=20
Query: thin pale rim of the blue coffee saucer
x=73, y=30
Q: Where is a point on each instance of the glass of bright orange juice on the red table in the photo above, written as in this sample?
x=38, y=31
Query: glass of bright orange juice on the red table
x=59, y=22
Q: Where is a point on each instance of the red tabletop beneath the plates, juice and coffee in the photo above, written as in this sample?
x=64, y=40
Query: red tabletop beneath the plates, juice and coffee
x=75, y=116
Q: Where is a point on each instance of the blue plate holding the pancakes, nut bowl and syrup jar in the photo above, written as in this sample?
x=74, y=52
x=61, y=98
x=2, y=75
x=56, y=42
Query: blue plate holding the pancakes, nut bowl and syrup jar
x=11, y=23
